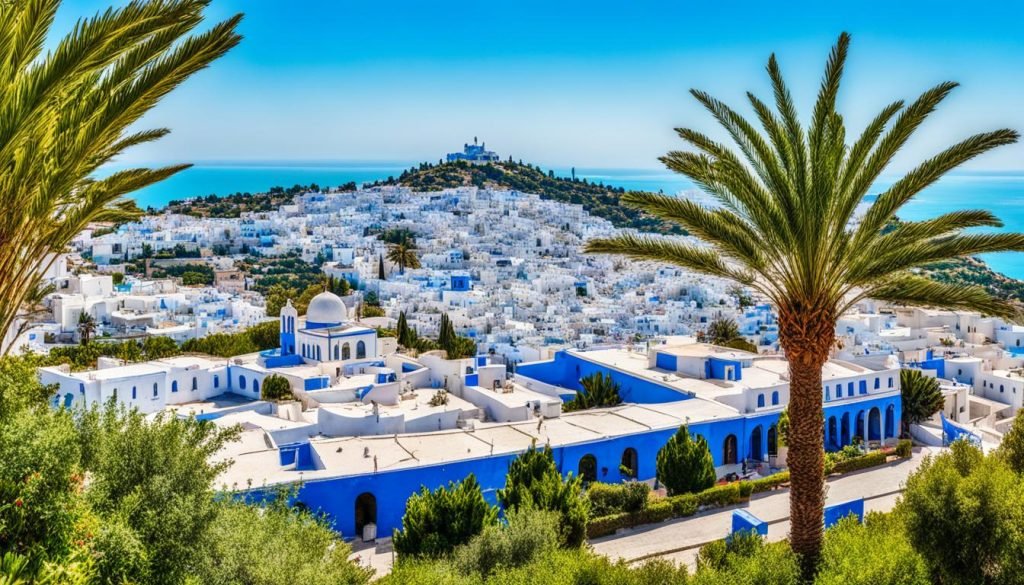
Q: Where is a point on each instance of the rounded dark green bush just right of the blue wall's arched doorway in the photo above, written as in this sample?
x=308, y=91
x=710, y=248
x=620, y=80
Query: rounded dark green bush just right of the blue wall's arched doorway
x=438, y=522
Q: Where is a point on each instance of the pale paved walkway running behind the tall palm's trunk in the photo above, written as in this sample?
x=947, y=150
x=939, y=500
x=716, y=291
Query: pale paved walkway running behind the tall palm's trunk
x=679, y=540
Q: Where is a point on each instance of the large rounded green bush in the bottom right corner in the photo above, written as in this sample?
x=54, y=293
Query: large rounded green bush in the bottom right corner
x=963, y=513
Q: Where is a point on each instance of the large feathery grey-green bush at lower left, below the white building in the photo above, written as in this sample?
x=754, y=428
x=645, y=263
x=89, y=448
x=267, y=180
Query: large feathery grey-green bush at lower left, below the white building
x=155, y=477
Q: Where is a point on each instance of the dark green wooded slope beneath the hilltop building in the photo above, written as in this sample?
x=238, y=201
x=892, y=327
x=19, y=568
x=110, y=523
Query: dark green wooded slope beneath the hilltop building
x=598, y=199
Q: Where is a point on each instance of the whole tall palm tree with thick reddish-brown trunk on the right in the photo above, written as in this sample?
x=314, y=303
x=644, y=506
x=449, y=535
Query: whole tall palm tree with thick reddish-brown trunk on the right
x=786, y=229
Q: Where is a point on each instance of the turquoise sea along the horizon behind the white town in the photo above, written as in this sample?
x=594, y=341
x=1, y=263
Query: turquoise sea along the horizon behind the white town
x=1001, y=193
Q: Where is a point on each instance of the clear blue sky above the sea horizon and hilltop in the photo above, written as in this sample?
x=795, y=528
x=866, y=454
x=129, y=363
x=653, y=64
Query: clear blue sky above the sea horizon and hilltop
x=592, y=83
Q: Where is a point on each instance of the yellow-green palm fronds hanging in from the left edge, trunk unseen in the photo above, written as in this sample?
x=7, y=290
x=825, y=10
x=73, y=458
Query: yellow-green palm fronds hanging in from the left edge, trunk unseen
x=68, y=112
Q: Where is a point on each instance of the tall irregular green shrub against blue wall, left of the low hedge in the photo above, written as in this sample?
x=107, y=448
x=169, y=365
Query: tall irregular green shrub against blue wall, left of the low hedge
x=534, y=481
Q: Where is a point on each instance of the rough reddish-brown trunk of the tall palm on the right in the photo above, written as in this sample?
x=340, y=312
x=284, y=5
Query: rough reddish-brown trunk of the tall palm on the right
x=807, y=338
